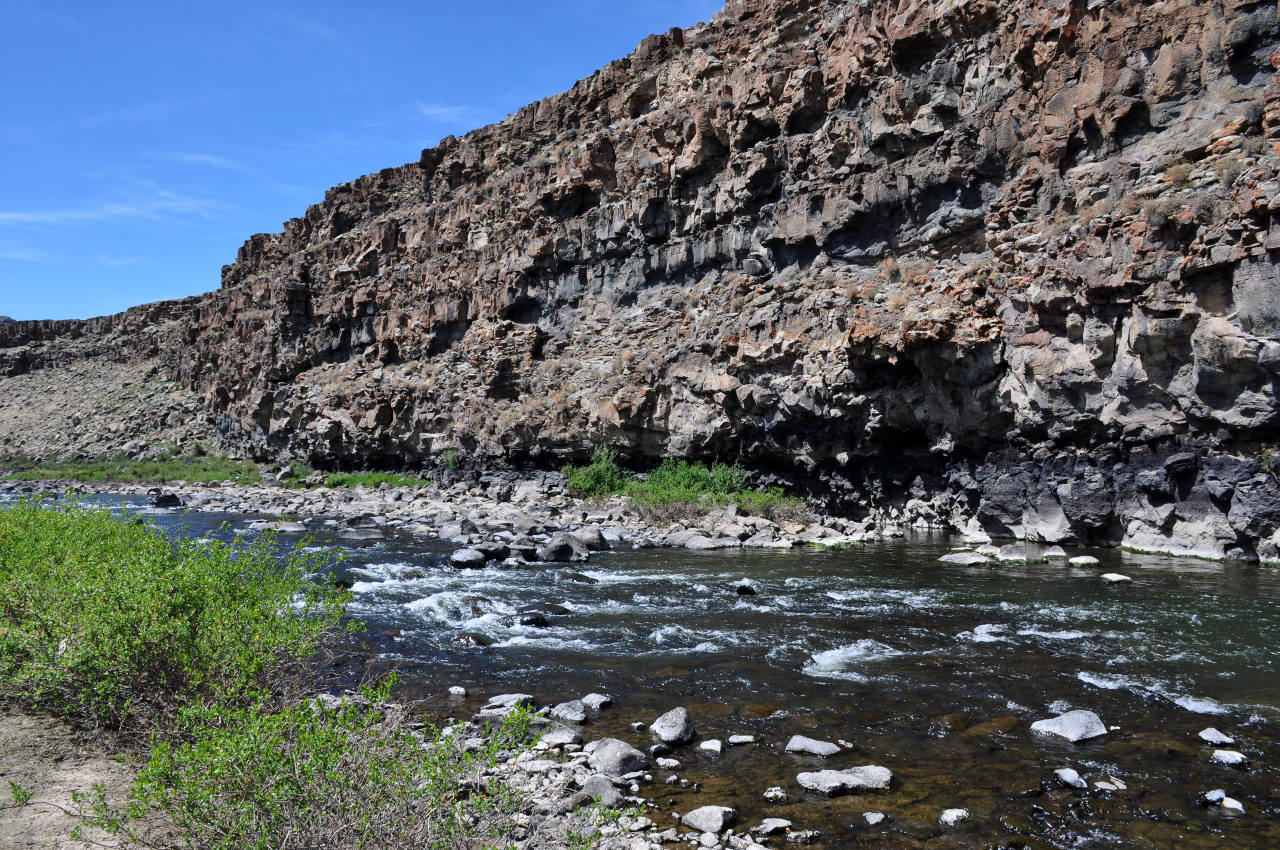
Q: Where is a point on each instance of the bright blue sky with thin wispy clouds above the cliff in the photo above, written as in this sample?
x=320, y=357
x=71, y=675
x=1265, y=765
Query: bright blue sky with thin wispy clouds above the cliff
x=143, y=143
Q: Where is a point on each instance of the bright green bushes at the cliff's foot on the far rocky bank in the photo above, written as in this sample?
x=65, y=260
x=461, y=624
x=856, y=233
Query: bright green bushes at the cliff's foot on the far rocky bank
x=682, y=490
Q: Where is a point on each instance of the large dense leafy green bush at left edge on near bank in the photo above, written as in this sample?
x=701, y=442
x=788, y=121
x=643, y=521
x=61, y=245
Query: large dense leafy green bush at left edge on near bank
x=108, y=619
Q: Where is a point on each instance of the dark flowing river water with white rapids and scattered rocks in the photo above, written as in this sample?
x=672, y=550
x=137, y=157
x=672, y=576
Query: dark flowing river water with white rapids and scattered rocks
x=935, y=671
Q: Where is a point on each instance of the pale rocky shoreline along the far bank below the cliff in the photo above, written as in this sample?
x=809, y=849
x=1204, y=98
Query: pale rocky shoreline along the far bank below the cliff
x=534, y=510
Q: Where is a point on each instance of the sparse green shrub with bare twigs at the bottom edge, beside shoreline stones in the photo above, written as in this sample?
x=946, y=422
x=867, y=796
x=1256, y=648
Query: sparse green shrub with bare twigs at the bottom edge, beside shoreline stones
x=355, y=776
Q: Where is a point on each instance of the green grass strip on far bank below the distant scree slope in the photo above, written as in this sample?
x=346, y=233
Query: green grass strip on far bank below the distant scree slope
x=194, y=469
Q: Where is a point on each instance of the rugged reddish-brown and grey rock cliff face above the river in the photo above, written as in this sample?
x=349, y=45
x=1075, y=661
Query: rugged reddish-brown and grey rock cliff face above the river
x=959, y=263
